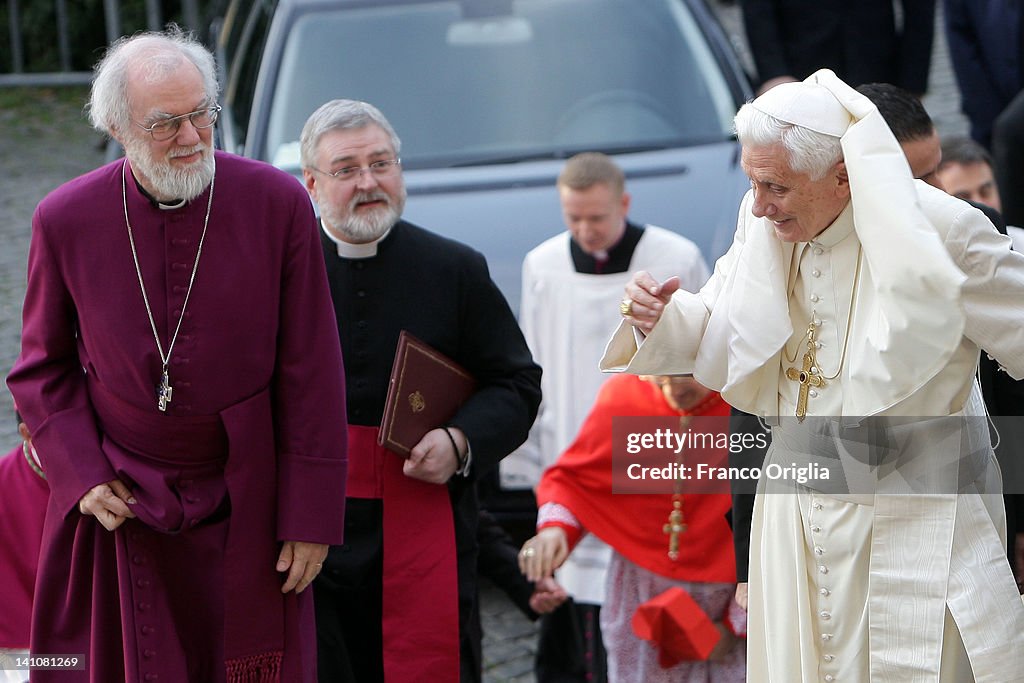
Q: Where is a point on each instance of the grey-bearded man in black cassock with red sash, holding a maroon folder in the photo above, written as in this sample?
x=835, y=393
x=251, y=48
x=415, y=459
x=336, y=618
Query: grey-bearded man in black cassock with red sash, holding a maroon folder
x=396, y=602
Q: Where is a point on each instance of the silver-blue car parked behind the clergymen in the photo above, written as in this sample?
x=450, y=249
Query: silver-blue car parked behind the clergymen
x=491, y=97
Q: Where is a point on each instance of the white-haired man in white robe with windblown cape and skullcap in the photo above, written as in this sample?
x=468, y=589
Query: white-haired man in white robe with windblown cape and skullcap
x=889, y=287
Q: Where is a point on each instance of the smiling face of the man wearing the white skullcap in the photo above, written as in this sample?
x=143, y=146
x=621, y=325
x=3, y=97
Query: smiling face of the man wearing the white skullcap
x=797, y=207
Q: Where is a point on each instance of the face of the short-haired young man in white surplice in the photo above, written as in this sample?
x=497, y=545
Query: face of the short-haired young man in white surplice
x=595, y=217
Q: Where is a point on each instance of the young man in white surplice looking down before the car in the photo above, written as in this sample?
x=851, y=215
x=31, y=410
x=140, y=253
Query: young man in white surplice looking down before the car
x=571, y=284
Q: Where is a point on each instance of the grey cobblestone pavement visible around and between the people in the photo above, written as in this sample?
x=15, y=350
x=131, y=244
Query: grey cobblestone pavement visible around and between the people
x=46, y=141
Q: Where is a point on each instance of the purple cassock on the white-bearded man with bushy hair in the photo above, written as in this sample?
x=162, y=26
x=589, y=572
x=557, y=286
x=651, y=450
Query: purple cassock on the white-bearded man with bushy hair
x=250, y=452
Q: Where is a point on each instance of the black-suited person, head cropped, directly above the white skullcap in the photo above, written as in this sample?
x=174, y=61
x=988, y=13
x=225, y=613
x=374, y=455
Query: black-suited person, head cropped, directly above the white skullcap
x=861, y=41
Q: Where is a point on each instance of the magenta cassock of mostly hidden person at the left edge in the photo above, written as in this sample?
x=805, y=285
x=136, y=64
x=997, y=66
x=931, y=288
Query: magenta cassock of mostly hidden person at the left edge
x=23, y=504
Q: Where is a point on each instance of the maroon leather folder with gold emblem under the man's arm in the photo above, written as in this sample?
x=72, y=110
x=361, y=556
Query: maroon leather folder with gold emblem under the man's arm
x=425, y=392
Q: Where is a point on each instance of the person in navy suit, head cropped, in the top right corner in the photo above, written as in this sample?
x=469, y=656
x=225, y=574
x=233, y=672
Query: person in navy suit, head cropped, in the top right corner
x=986, y=50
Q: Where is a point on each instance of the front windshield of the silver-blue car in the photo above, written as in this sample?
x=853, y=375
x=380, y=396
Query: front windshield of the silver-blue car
x=473, y=83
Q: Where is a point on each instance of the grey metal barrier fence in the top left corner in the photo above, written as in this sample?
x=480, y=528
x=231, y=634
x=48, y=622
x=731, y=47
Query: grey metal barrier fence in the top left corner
x=66, y=76
